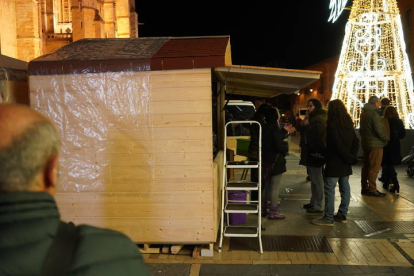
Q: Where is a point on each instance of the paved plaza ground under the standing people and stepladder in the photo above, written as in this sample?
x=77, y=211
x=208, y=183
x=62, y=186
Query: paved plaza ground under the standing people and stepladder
x=377, y=240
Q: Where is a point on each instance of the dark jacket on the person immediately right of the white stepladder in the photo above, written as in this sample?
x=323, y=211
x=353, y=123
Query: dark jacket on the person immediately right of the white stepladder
x=272, y=146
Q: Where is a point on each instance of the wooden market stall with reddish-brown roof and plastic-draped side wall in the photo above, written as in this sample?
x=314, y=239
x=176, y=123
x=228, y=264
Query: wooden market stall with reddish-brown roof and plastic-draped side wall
x=136, y=118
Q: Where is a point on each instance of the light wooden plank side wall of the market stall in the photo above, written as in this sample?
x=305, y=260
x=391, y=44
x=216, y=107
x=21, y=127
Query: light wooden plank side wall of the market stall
x=137, y=151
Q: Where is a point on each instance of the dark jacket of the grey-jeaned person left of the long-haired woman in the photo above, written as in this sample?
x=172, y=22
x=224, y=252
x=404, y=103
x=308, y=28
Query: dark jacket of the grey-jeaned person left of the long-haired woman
x=313, y=135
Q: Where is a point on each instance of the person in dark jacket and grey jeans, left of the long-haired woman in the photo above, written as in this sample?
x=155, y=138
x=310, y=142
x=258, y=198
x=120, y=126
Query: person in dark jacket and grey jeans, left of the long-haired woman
x=313, y=137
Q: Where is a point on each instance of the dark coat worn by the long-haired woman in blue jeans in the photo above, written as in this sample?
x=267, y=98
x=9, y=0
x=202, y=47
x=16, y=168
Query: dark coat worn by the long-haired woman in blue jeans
x=342, y=147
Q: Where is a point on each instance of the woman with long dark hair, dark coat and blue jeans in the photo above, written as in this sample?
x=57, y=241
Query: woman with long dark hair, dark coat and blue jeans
x=342, y=147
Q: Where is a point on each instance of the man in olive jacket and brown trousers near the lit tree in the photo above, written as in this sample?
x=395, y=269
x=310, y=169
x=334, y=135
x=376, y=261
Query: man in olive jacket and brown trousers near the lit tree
x=373, y=140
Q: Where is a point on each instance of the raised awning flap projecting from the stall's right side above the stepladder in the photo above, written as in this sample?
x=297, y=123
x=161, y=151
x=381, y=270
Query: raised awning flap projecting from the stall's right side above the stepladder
x=264, y=81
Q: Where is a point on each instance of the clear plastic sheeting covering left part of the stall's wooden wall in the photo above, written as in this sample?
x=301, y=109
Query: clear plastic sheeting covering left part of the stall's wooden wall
x=103, y=118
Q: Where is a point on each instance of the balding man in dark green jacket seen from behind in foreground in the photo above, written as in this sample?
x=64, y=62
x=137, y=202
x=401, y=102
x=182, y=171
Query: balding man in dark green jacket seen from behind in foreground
x=29, y=217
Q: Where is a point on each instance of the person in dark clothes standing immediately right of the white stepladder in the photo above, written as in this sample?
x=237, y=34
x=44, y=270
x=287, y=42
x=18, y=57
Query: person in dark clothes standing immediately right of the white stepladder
x=274, y=150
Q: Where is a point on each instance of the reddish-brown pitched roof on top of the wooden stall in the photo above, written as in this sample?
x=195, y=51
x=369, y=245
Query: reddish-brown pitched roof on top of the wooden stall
x=134, y=54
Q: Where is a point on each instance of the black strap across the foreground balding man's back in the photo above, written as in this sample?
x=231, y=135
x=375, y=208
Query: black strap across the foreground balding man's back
x=60, y=254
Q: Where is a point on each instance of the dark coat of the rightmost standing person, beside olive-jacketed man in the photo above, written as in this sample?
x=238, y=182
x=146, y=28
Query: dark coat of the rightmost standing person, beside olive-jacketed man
x=392, y=151
